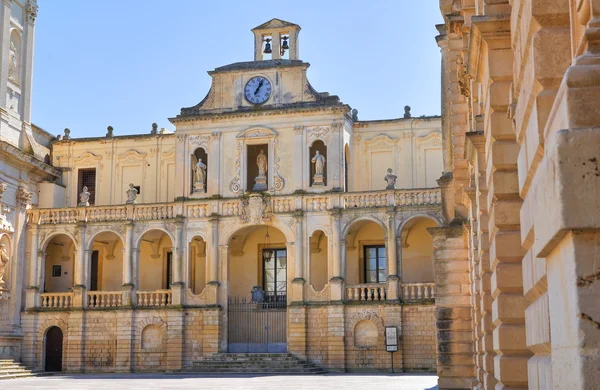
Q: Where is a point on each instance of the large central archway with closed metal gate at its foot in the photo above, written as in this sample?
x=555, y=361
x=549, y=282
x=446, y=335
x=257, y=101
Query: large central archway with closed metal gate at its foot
x=258, y=285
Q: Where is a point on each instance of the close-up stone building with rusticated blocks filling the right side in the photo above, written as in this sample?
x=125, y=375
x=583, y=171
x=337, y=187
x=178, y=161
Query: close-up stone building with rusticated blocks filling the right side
x=517, y=301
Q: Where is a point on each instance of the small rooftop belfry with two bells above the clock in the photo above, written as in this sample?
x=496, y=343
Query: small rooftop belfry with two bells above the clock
x=276, y=39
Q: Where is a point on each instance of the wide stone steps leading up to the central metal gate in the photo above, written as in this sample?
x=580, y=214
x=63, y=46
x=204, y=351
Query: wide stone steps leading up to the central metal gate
x=256, y=363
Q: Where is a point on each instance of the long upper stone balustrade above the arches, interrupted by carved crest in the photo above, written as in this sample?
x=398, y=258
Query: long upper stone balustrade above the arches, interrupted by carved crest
x=233, y=207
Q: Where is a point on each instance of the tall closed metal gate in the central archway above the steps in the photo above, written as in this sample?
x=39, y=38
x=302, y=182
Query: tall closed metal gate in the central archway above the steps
x=257, y=327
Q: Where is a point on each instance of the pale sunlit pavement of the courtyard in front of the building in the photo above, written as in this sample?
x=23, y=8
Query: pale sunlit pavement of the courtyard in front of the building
x=156, y=381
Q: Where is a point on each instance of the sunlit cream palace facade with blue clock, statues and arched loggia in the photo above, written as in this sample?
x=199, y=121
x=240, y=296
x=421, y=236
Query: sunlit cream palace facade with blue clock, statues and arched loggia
x=268, y=202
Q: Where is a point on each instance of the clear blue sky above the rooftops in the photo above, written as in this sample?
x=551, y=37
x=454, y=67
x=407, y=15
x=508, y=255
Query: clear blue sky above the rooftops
x=128, y=63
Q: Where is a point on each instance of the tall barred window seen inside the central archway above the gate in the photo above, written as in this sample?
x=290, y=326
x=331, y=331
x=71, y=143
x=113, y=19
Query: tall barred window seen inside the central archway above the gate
x=275, y=275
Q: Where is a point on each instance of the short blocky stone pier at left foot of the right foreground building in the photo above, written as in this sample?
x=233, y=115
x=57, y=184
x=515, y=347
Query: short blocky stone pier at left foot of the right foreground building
x=455, y=362
